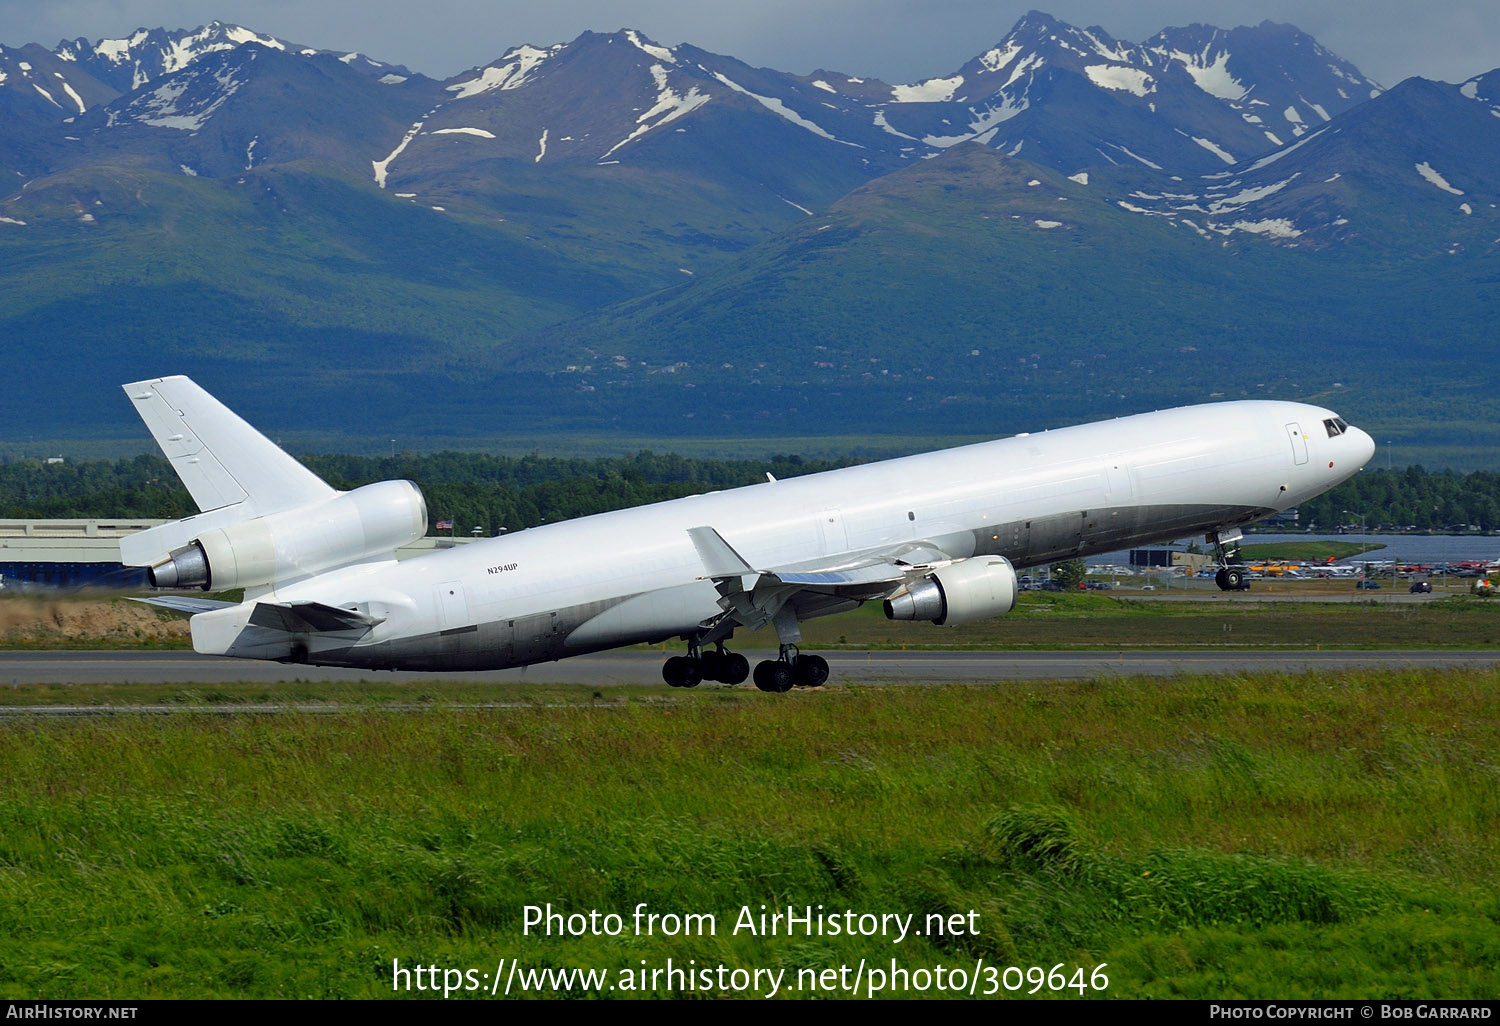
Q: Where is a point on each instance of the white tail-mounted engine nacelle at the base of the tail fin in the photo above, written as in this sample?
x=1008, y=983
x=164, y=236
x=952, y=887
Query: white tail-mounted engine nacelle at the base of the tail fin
x=350, y=527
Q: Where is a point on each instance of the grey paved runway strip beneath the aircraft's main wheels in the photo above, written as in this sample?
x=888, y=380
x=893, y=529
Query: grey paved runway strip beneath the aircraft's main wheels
x=644, y=667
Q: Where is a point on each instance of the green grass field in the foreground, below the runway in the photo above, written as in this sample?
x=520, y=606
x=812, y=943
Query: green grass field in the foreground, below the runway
x=1210, y=838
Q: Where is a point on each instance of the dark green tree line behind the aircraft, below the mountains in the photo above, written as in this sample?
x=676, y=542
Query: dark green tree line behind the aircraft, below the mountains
x=494, y=493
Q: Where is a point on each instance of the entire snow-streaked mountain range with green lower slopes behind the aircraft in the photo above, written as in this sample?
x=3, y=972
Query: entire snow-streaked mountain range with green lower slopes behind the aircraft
x=322, y=214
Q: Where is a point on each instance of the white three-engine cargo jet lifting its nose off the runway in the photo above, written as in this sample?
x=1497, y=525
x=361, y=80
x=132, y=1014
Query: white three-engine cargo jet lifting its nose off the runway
x=935, y=538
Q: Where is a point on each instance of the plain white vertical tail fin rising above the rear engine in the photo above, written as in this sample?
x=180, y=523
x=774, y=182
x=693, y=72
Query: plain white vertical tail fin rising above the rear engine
x=233, y=472
